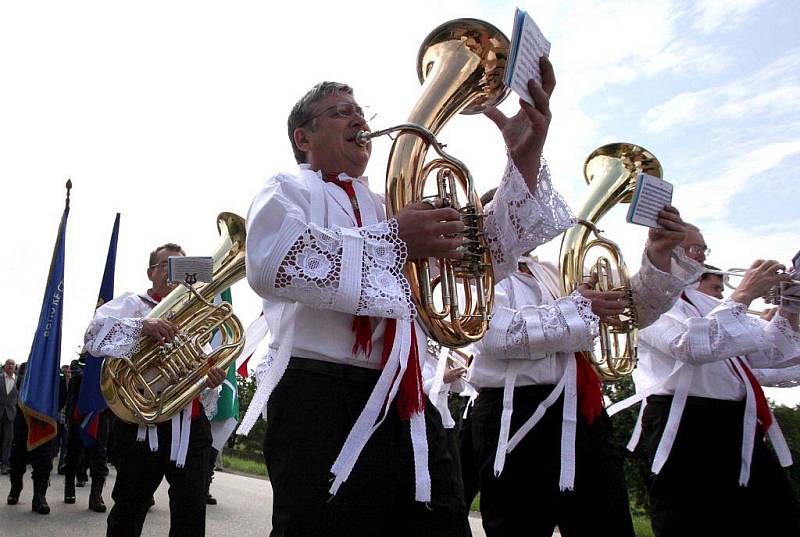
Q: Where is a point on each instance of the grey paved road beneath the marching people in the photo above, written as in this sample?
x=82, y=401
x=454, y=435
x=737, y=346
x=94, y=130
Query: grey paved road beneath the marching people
x=243, y=510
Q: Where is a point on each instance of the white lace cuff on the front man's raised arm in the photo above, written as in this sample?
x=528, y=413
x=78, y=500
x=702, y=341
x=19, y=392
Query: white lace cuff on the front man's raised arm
x=518, y=221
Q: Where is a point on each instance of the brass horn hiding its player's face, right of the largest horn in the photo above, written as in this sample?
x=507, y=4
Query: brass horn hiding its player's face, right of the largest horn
x=611, y=171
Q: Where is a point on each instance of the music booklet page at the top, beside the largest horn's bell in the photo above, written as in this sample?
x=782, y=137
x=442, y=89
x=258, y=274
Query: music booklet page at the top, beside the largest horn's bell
x=528, y=44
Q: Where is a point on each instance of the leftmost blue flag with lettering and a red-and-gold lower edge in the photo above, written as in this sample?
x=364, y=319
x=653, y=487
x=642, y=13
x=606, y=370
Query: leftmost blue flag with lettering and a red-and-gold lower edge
x=38, y=398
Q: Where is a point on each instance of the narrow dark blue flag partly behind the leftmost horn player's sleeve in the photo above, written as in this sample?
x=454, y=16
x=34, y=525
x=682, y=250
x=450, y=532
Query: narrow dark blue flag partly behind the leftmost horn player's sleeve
x=90, y=399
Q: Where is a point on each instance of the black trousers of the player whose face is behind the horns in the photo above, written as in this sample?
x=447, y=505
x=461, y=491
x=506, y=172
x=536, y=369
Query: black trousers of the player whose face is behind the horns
x=525, y=499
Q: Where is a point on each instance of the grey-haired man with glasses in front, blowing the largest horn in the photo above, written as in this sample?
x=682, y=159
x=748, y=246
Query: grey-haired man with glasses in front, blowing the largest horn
x=351, y=447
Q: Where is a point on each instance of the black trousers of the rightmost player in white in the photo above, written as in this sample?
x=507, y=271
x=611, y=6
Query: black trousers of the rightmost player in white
x=697, y=490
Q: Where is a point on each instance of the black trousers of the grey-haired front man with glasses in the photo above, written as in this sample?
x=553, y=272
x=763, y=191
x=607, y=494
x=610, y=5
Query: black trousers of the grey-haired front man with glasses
x=310, y=414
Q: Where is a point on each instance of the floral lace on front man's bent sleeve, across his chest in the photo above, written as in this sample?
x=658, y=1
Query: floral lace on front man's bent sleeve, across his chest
x=311, y=272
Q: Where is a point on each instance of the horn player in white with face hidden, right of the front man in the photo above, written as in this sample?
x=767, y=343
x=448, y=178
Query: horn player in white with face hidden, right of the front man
x=541, y=435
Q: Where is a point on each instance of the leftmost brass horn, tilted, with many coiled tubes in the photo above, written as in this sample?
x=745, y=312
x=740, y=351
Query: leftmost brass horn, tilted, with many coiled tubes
x=156, y=382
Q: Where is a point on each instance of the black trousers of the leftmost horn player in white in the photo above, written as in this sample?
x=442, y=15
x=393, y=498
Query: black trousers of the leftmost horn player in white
x=140, y=471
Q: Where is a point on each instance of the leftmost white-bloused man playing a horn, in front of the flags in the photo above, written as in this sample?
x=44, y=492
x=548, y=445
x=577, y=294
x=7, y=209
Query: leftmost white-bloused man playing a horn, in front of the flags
x=146, y=455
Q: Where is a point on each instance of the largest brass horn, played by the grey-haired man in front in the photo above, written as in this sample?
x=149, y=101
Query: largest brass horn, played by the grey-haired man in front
x=461, y=65
